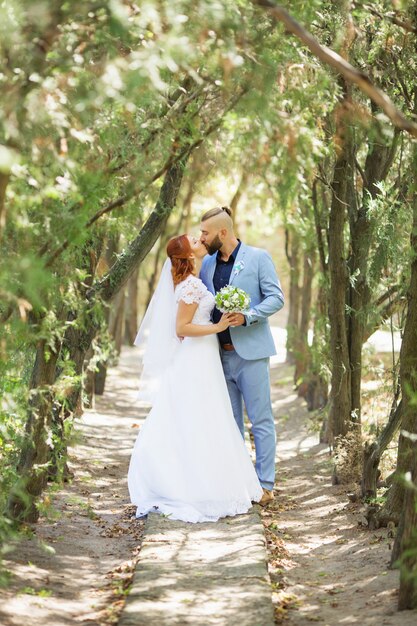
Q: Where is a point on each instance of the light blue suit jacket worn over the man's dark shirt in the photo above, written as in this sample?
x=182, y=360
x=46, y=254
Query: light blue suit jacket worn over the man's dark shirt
x=254, y=272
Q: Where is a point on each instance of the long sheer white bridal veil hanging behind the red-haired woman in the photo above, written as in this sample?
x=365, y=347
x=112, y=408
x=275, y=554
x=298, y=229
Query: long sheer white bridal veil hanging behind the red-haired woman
x=157, y=337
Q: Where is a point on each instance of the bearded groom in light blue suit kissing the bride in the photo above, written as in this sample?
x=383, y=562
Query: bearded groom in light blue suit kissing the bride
x=246, y=346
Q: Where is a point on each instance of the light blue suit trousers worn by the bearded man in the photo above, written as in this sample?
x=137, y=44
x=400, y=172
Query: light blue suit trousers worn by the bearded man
x=248, y=382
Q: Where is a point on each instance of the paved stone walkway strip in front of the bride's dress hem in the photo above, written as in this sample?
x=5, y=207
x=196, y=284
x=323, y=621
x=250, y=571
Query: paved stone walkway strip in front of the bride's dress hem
x=208, y=574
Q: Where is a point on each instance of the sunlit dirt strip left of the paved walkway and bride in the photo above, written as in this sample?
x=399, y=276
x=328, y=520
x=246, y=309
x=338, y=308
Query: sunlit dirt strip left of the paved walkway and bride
x=76, y=566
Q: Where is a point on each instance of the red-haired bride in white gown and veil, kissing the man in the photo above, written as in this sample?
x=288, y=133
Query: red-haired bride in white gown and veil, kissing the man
x=189, y=461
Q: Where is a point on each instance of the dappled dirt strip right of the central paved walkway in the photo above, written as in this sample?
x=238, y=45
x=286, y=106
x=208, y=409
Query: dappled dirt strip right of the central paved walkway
x=325, y=567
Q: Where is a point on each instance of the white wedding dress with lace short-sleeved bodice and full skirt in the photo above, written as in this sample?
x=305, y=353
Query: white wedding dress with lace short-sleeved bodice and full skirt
x=189, y=460
